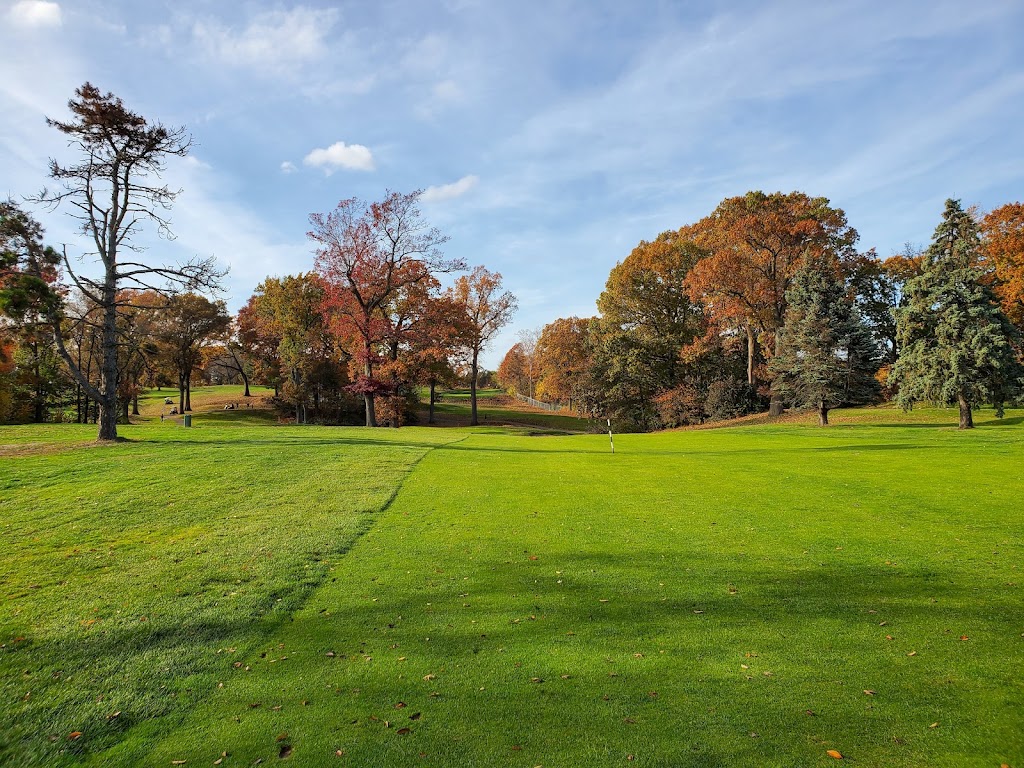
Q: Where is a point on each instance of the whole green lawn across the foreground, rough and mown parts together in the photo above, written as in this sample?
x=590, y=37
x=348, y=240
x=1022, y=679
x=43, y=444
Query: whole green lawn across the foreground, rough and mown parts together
x=740, y=598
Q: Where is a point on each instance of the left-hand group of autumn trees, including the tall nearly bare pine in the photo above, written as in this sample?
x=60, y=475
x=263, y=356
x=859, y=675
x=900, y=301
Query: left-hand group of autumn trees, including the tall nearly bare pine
x=355, y=338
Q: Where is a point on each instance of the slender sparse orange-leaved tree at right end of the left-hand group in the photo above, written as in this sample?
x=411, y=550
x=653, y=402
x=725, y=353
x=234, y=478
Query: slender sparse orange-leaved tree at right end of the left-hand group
x=487, y=310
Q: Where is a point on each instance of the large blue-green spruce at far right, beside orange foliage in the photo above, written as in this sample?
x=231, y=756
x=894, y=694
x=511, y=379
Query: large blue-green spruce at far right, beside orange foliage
x=957, y=345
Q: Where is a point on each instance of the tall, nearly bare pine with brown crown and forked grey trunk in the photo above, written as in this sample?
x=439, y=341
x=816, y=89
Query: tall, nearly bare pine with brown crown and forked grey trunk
x=114, y=190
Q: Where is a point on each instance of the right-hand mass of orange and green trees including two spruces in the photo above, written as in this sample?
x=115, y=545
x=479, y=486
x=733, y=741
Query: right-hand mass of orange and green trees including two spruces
x=766, y=305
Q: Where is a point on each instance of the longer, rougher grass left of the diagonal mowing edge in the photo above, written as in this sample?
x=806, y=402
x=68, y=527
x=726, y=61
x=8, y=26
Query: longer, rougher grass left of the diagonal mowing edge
x=126, y=568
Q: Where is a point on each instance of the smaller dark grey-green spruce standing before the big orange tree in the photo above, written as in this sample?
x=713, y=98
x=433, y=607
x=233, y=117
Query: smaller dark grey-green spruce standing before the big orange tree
x=827, y=355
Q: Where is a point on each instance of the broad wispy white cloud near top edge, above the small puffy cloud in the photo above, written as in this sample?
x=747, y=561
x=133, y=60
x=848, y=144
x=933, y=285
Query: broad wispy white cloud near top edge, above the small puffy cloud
x=277, y=40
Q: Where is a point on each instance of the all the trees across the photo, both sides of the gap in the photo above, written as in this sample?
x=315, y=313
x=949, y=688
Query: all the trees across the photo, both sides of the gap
x=764, y=304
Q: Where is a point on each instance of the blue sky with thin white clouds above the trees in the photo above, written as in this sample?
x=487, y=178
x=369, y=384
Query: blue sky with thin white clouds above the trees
x=550, y=137
